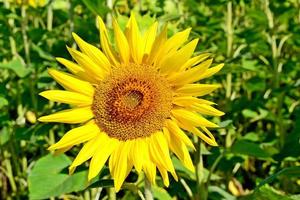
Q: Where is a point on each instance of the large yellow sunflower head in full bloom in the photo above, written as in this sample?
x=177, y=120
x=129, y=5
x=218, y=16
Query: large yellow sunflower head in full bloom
x=134, y=102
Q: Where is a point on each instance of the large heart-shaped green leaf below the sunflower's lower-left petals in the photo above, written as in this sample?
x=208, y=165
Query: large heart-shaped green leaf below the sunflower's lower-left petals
x=47, y=179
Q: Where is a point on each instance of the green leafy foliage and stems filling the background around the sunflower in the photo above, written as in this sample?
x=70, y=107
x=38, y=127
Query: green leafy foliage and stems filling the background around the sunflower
x=258, y=153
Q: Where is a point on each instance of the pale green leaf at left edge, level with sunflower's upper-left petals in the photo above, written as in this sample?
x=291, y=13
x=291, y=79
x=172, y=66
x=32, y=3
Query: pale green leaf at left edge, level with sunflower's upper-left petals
x=17, y=65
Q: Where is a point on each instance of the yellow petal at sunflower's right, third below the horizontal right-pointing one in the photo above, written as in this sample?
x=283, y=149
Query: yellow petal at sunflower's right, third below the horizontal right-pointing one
x=186, y=116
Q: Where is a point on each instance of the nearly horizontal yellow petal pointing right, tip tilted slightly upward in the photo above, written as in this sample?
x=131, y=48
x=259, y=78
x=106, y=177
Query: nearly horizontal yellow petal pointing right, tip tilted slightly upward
x=196, y=89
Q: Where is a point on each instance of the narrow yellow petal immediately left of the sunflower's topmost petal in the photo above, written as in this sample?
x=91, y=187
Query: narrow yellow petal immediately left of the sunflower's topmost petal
x=121, y=42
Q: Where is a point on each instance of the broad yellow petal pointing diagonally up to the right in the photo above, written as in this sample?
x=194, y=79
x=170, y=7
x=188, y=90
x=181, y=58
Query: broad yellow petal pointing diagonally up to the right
x=175, y=61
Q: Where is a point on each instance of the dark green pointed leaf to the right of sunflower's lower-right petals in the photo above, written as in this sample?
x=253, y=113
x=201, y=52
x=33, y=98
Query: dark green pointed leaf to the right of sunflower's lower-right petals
x=249, y=148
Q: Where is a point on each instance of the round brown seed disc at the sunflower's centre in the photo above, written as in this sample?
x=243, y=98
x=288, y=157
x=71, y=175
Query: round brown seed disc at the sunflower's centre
x=132, y=102
